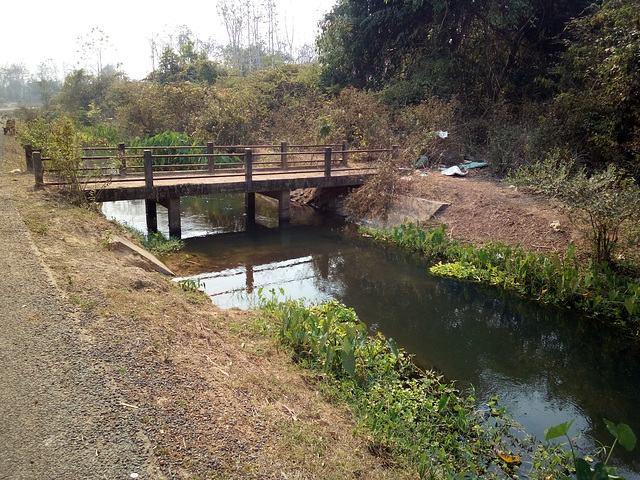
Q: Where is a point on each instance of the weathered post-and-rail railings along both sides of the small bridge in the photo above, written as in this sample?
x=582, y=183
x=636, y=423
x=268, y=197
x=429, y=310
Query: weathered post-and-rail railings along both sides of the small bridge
x=124, y=164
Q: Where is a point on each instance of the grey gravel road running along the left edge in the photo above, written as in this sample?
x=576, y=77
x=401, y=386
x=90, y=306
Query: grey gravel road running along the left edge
x=62, y=415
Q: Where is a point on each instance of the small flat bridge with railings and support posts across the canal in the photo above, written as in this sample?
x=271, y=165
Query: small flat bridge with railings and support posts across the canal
x=164, y=174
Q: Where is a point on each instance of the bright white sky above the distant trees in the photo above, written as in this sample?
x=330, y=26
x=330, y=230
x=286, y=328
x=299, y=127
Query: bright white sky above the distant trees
x=37, y=30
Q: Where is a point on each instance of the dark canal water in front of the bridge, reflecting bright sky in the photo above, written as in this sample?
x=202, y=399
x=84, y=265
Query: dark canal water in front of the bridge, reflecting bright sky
x=546, y=365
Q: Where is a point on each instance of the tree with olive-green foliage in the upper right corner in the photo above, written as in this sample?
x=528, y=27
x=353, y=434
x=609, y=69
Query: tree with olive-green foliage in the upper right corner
x=598, y=81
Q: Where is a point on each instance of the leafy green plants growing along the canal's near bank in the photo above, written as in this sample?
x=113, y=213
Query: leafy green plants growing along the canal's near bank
x=415, y=416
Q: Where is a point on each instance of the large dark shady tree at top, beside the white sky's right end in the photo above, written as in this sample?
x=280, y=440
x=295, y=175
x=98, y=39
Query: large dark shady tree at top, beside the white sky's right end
x=485, y=51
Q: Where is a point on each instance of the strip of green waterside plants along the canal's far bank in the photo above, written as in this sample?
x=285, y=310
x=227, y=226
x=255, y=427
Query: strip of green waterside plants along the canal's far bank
x=593, y=288
